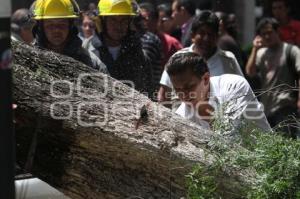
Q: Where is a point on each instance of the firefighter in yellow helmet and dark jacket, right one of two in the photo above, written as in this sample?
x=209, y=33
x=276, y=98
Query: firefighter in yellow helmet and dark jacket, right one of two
x=119, y=47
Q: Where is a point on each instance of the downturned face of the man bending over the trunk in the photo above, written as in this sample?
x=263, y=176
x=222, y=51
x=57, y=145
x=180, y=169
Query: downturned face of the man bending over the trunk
x=191, y=89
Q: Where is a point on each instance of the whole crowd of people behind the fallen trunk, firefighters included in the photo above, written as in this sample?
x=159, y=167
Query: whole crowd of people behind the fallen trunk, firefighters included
x=168, y=48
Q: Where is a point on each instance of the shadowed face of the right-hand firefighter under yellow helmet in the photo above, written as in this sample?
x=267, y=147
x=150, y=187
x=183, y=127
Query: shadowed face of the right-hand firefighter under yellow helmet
x=117, y=27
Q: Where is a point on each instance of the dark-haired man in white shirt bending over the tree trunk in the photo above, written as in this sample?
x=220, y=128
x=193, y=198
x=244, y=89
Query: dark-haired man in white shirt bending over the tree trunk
x=228, y=96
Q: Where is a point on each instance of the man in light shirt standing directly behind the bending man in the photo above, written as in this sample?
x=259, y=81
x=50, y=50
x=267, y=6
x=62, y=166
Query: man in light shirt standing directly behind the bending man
x=204, y=32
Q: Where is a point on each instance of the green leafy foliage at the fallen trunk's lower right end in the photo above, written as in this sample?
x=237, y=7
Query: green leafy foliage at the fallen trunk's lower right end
x=274, y=158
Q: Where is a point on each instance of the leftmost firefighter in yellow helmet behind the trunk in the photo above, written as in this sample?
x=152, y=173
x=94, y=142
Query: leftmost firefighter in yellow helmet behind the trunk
x=55, y=30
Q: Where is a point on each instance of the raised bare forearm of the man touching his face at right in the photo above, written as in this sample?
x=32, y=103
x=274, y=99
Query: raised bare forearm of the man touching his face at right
x=251, y=66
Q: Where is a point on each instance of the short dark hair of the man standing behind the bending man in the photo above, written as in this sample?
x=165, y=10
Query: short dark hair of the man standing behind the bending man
x=207, y=18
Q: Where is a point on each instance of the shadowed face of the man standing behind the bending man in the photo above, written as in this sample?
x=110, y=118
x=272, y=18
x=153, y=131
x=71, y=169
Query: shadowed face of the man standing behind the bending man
x=205, y=39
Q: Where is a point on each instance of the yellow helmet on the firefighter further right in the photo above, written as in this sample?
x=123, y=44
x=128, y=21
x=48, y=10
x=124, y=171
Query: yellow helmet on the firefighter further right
x=115, y=7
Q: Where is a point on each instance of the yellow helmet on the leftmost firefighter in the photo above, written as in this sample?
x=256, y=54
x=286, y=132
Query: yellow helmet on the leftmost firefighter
x=54, y=9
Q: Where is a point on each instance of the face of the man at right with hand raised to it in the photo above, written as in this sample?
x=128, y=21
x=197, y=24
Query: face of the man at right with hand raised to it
x=269, y=36
